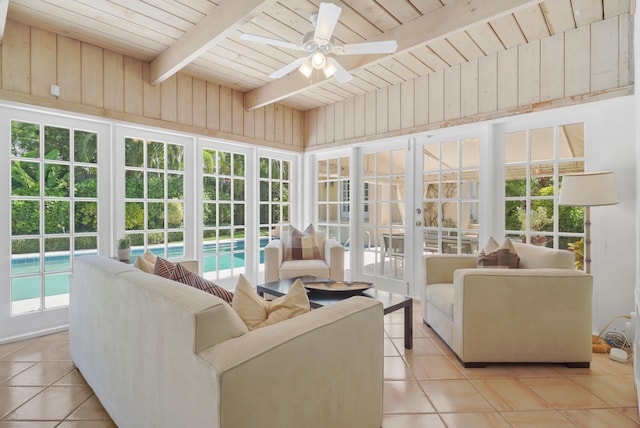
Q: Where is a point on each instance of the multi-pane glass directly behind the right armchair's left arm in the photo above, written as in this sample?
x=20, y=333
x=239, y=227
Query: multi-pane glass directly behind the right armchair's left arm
x=451, y=196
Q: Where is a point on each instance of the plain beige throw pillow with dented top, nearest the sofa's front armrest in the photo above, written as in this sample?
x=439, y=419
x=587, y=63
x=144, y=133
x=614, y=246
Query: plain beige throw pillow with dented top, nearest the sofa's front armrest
x=257, y=312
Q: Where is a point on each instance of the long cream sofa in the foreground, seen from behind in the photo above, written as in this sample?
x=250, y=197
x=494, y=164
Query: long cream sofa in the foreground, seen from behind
x=162, y=354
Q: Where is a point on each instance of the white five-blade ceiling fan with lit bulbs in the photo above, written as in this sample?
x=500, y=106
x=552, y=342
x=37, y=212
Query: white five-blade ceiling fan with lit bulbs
x=319, y=44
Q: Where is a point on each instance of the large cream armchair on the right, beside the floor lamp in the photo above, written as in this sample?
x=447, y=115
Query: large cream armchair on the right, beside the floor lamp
x=540, y=312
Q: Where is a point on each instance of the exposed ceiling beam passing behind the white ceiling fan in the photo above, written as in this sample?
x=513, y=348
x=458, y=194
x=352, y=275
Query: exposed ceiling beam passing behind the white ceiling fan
x=456, y=16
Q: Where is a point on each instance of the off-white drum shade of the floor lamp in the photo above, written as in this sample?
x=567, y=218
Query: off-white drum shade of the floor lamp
x=588, y=189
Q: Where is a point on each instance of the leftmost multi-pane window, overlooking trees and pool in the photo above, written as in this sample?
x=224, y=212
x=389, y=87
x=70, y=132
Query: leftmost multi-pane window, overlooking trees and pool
x=54, y=211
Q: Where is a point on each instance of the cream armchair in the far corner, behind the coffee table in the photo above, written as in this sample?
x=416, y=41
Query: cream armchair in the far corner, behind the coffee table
x=330, y=263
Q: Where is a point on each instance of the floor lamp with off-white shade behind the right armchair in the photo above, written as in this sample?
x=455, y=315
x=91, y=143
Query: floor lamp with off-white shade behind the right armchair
x=589, y=189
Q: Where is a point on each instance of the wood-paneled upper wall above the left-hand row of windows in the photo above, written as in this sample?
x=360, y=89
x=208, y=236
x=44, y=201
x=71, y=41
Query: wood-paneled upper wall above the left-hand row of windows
x=103, y=83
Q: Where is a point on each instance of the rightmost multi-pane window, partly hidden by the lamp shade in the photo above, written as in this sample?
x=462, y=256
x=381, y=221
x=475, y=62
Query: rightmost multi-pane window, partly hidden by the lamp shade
x=535, y=159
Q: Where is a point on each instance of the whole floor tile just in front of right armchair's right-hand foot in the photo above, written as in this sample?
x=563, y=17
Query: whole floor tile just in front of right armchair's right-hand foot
x=563, y=393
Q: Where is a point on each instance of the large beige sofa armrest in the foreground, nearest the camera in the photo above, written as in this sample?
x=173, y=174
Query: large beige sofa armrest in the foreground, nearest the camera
x=330, y=358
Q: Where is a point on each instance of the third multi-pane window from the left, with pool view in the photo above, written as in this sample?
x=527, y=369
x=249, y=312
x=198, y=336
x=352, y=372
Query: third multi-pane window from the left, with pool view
x=223, y=213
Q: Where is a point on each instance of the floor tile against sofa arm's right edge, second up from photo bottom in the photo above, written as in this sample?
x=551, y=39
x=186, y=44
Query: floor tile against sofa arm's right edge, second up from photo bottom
x=405, y=396
